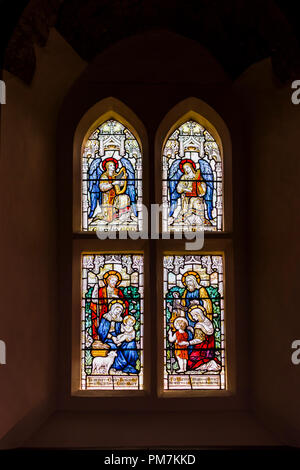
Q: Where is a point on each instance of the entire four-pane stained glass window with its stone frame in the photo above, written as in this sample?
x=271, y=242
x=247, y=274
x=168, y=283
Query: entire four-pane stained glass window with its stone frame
x=113, y=276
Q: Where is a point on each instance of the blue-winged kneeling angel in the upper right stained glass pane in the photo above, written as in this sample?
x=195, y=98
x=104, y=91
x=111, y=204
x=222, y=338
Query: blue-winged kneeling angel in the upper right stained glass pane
x=193, y=188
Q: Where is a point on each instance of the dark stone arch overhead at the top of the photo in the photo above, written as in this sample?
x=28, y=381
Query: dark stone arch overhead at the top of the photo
x=237, y=33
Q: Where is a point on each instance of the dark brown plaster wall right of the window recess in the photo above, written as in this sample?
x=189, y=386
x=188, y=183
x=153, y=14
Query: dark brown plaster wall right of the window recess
x=271, y=124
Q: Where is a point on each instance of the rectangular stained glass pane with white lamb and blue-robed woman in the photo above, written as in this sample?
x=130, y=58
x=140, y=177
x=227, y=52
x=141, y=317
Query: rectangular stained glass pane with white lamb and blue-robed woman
x=112, y=322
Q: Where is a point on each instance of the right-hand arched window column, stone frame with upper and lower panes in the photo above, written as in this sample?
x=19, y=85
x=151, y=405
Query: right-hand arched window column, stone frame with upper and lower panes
x=192, y=143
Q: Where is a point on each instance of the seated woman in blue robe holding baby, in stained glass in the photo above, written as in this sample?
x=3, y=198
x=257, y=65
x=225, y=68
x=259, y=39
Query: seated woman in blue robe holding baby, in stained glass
x=119, y=334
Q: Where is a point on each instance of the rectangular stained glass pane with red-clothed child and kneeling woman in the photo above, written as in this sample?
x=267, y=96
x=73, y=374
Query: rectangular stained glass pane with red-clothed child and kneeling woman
x=194, y=342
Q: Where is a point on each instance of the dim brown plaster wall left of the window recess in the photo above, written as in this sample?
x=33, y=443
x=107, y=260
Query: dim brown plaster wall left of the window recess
x=29, y=320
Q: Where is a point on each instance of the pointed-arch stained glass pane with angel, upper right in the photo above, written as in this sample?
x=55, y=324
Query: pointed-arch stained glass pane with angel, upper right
x=192, y=180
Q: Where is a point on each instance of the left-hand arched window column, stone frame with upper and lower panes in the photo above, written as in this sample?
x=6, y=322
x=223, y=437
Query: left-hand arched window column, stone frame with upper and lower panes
x=108, y=279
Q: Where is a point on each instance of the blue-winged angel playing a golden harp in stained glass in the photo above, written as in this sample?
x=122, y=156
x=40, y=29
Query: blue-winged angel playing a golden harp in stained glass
x=113, y=187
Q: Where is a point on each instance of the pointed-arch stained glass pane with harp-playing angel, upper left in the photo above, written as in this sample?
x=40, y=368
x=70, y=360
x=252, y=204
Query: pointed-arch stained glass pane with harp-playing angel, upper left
x=111, y=179
